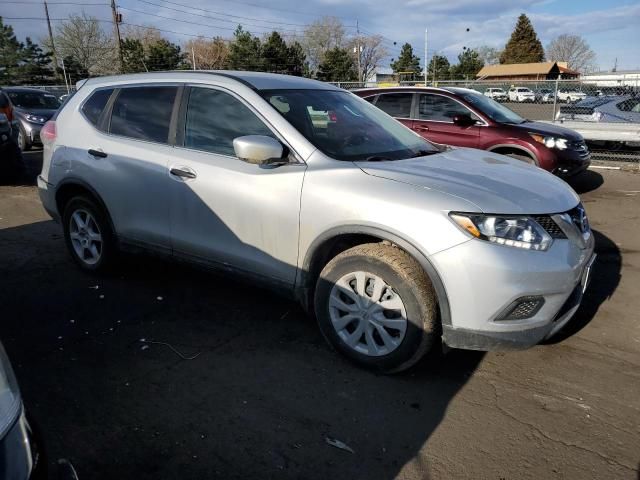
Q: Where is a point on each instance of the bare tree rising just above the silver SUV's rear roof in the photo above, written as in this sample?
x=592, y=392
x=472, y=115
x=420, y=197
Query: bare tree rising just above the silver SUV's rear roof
x=82, y=38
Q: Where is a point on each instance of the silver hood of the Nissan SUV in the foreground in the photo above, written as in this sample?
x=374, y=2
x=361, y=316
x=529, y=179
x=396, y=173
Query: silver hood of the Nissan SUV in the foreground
x=492, y=182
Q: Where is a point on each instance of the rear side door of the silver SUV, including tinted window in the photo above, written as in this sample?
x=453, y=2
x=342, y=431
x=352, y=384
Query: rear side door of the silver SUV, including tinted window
x=125, y=159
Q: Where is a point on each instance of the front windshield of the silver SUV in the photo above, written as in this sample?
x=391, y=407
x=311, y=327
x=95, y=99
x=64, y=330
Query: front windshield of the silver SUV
x=346, y=127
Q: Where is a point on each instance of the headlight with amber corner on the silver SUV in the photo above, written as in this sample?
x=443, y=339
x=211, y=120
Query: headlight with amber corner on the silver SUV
x=510, y=230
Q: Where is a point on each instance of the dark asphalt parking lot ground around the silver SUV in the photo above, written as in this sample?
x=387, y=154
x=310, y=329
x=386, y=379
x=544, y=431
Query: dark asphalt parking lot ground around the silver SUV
x=234, y=382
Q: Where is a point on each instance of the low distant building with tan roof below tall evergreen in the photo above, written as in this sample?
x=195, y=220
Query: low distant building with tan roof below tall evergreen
x=527, y=71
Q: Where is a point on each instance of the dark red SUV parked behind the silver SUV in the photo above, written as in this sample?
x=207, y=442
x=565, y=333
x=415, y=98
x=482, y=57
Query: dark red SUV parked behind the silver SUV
x=465, y=118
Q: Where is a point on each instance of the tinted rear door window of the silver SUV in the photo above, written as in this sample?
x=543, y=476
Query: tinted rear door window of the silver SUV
x=143, y=113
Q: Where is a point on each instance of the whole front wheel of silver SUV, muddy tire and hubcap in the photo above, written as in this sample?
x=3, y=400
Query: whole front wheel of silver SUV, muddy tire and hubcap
x=410, y=318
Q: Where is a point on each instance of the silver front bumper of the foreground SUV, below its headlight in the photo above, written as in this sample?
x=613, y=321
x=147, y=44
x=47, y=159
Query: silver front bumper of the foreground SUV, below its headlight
x=483, y=279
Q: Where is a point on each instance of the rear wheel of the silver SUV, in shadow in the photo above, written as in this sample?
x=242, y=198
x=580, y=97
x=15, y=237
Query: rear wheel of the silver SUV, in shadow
x=79, y=239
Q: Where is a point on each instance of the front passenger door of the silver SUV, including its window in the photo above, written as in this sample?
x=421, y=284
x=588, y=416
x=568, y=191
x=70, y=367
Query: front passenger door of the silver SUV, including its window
x=224, y=210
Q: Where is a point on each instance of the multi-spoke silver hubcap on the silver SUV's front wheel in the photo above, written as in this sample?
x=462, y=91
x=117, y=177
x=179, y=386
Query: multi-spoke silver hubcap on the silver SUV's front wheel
x=367, y=314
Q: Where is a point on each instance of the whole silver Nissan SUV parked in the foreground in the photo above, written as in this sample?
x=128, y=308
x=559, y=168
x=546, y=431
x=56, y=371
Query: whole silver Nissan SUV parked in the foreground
x=393, y=242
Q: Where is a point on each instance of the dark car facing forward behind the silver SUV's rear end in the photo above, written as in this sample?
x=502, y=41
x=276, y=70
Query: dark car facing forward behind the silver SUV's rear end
x=32, y=109
